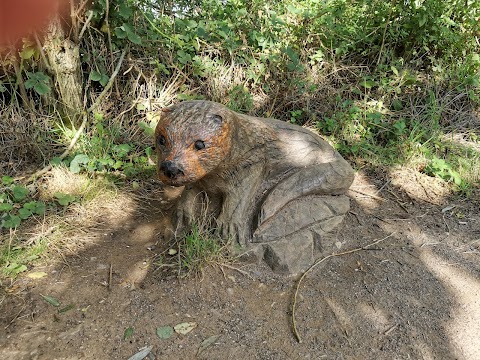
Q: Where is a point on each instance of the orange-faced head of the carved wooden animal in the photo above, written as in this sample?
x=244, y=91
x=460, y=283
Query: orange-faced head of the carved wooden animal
x=192, y=139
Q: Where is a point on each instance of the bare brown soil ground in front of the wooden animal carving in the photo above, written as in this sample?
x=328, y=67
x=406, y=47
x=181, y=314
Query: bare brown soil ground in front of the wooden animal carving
x=414, y=295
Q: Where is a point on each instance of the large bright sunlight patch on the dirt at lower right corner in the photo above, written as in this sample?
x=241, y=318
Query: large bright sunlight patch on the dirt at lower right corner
x=464, y=327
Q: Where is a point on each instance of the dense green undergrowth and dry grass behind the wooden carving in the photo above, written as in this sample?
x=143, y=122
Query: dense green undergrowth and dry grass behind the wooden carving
x=389, y=83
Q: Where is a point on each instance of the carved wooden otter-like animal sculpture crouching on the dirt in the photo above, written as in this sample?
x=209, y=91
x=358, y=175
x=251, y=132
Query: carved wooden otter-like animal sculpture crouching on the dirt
x=272, y=186
